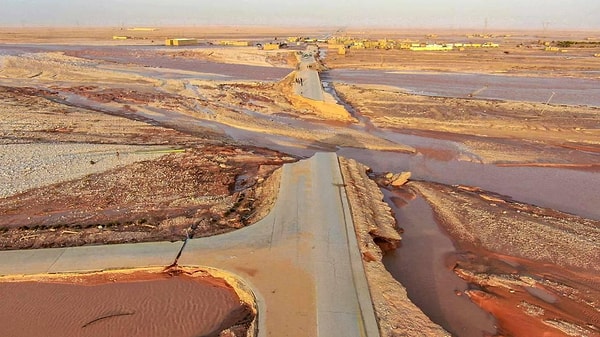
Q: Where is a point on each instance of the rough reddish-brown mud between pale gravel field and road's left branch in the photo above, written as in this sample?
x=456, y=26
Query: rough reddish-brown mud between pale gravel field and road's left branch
x=183, y=194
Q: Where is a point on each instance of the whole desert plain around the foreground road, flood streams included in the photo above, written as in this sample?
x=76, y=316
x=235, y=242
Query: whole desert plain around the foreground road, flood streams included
x=116, y=141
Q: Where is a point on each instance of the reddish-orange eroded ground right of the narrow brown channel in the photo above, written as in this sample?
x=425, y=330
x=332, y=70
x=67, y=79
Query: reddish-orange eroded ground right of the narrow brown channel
x=535, y=269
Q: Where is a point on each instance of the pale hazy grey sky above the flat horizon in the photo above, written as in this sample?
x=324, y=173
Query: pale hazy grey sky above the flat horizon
x=554, y=14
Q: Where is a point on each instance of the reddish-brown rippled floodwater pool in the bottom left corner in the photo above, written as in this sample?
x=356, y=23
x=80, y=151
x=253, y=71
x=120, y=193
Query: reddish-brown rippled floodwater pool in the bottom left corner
x=158, y=305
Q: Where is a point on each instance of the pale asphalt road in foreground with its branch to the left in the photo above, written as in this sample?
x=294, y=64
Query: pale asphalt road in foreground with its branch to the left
x=302, y=260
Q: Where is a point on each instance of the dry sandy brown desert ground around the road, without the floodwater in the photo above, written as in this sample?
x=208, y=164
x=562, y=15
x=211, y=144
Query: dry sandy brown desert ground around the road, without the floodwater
x=108, y=150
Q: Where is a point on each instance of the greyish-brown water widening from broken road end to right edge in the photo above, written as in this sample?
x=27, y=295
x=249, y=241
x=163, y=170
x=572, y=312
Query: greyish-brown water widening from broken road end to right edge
x=571, y=191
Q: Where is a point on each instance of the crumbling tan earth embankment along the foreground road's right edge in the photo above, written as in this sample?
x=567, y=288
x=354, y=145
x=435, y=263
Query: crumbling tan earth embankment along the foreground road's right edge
x=375, y=228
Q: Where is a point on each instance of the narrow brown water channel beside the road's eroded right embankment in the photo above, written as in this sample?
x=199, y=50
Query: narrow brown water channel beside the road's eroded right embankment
x=420, y=265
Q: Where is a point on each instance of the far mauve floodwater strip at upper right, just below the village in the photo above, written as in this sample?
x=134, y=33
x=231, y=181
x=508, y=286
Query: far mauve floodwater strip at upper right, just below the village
x=570, y=91
